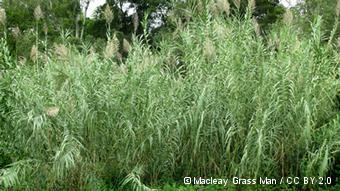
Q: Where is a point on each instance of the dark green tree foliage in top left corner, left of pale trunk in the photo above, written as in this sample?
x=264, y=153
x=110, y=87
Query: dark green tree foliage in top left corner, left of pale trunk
x=58, y=15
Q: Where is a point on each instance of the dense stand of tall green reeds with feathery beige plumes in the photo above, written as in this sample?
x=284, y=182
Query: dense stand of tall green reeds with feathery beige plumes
x=217, y=97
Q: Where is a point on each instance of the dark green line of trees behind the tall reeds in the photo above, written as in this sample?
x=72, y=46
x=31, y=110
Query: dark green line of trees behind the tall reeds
x=68, y=17
